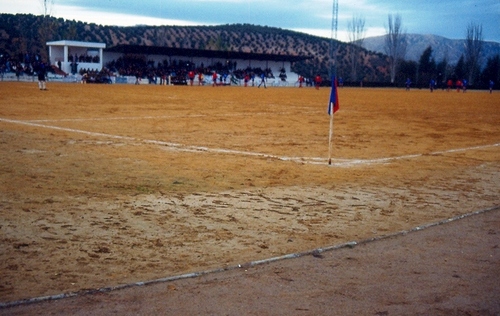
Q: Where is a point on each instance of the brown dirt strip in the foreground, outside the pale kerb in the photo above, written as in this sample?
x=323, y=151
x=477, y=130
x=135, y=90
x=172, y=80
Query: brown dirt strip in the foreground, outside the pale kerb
x=450, y=269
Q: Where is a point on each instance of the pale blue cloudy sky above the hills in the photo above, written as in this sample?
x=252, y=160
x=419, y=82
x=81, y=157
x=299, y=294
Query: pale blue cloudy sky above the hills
x=448, y=18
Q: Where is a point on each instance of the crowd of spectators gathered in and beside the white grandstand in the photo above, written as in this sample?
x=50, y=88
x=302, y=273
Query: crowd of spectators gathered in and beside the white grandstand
x=177, y=71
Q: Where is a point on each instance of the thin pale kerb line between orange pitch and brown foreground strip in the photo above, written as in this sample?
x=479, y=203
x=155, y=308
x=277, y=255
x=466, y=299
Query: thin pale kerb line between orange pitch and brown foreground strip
x=314, y=252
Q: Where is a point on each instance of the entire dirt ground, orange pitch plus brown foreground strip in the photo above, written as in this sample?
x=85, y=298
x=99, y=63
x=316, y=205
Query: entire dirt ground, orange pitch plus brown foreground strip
x=104, y=186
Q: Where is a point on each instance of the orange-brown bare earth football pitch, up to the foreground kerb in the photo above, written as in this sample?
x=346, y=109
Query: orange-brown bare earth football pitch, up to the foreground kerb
x=109, y=185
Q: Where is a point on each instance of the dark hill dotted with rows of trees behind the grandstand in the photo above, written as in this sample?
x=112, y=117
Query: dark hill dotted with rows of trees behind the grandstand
x=23, y=33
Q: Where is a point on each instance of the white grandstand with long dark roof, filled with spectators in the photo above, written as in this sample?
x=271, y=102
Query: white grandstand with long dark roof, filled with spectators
x=92, y=62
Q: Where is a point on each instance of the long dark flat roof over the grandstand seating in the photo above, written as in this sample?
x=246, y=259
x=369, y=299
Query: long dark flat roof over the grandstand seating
x=171, y=51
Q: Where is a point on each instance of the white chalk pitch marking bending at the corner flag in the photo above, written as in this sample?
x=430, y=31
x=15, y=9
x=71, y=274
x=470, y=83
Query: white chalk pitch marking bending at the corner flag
x=304, y=160
